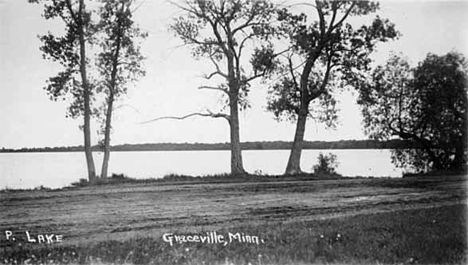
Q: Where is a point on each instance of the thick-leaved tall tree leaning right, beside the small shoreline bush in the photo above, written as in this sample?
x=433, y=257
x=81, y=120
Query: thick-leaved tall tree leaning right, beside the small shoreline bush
x=329, y=49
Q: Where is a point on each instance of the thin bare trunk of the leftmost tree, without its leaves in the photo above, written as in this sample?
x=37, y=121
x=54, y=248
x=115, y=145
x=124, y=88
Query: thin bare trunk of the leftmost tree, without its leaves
x=86, y=95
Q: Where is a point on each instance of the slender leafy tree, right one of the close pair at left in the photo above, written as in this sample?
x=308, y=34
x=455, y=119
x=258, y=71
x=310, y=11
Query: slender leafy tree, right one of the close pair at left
x=119, y=62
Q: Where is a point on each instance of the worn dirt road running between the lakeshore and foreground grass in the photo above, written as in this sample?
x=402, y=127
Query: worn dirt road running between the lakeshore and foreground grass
x=128, y=210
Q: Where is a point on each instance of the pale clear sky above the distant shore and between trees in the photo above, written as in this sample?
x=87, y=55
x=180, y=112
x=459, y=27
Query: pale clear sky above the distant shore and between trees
x=28, y=118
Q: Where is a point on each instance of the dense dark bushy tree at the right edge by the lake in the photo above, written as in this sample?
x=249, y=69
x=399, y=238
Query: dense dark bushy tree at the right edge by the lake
x=426, y=104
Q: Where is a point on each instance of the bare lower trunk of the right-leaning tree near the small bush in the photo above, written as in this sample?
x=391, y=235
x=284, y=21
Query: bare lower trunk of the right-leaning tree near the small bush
x=294, y=162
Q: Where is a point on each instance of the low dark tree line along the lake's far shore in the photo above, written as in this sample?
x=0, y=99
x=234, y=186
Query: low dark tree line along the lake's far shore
x=257, y=145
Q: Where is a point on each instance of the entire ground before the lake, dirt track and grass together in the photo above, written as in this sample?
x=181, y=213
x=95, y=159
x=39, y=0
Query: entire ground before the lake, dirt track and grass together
x=353, y=221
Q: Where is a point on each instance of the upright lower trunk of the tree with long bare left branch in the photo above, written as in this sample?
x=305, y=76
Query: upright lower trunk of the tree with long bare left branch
x=236, y=152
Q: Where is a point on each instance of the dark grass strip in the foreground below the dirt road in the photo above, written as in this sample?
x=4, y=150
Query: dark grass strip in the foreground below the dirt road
x=422, y=236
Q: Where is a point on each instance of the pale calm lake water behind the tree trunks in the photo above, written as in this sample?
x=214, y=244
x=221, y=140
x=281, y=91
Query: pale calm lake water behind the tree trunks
x=29, y=170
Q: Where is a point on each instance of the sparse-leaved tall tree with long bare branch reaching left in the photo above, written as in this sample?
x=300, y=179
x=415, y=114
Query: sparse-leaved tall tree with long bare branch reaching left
x=220, y=31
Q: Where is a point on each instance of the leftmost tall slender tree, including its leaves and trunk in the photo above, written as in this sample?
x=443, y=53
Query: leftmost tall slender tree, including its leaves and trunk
x=70, y=51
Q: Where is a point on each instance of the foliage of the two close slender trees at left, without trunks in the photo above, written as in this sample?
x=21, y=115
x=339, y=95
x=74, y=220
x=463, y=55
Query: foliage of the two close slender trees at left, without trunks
x=99, y=33
